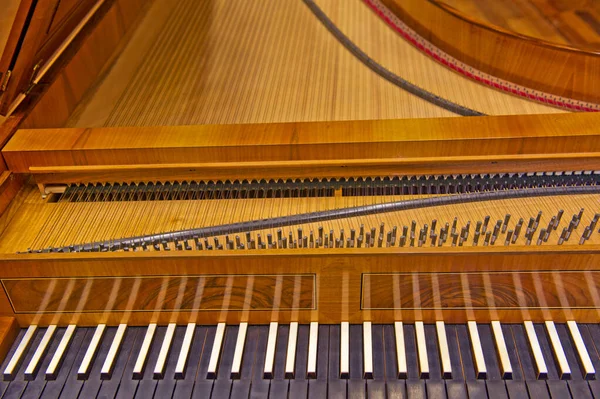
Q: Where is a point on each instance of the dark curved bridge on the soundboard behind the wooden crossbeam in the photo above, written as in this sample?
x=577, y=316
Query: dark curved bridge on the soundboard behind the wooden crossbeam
x=385, y=73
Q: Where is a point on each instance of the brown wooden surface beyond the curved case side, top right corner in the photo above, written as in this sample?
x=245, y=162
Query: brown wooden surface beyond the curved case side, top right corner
x=575, y=23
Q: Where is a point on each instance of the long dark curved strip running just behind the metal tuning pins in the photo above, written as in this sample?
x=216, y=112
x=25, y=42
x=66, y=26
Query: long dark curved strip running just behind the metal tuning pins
x=313, y=217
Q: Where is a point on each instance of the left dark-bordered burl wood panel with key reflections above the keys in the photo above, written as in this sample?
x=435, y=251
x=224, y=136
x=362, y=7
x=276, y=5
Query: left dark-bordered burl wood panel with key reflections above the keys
x=161, y=293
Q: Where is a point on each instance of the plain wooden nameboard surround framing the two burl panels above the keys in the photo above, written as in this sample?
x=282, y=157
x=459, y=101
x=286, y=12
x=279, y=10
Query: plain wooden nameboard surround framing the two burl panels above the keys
x=339, y=274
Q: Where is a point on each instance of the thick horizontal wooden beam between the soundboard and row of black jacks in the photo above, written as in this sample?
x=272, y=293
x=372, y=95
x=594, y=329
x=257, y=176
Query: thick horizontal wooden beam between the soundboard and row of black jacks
x=322, y=141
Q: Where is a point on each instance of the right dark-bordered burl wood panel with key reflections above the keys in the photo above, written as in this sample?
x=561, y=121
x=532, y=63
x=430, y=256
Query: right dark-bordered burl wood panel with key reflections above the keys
x=502, y=291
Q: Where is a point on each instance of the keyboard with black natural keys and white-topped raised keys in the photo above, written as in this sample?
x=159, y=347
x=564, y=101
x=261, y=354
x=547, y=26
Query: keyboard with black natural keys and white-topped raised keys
x=420, y=360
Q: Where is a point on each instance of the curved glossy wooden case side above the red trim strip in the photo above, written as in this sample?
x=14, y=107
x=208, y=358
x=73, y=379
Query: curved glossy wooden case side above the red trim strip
x=551, y=68
